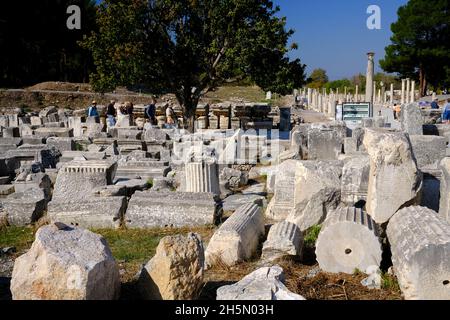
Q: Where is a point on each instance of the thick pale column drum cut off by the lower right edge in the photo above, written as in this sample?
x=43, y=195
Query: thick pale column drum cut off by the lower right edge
x=420, y=245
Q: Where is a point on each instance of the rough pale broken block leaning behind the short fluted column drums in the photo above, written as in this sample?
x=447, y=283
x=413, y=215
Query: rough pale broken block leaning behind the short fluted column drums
x=317, y=192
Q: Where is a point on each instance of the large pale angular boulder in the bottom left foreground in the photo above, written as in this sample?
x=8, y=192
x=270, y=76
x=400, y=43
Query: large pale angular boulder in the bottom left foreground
x=66, y=264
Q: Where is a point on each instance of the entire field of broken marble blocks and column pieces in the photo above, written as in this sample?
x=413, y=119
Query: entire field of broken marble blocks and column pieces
x=372, y=188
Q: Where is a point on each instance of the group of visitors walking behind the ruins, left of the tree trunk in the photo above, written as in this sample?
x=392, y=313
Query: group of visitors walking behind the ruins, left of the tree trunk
x=127, y=108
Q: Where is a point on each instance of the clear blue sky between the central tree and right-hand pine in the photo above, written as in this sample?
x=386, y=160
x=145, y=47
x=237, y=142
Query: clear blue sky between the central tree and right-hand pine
x=333, y=35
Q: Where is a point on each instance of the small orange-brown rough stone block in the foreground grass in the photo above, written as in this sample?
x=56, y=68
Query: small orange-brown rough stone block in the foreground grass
x=176, y=270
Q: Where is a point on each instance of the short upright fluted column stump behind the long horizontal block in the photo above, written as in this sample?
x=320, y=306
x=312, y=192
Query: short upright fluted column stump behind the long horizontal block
x=202, y=177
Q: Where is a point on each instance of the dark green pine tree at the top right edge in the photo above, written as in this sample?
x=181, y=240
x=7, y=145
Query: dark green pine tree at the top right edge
x=420, y=46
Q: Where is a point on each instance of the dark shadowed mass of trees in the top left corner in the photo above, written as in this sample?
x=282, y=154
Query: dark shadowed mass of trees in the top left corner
x=36, y=45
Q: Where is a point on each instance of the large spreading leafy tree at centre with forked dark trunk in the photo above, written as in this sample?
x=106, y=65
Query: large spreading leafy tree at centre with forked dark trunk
x=191, y=47
